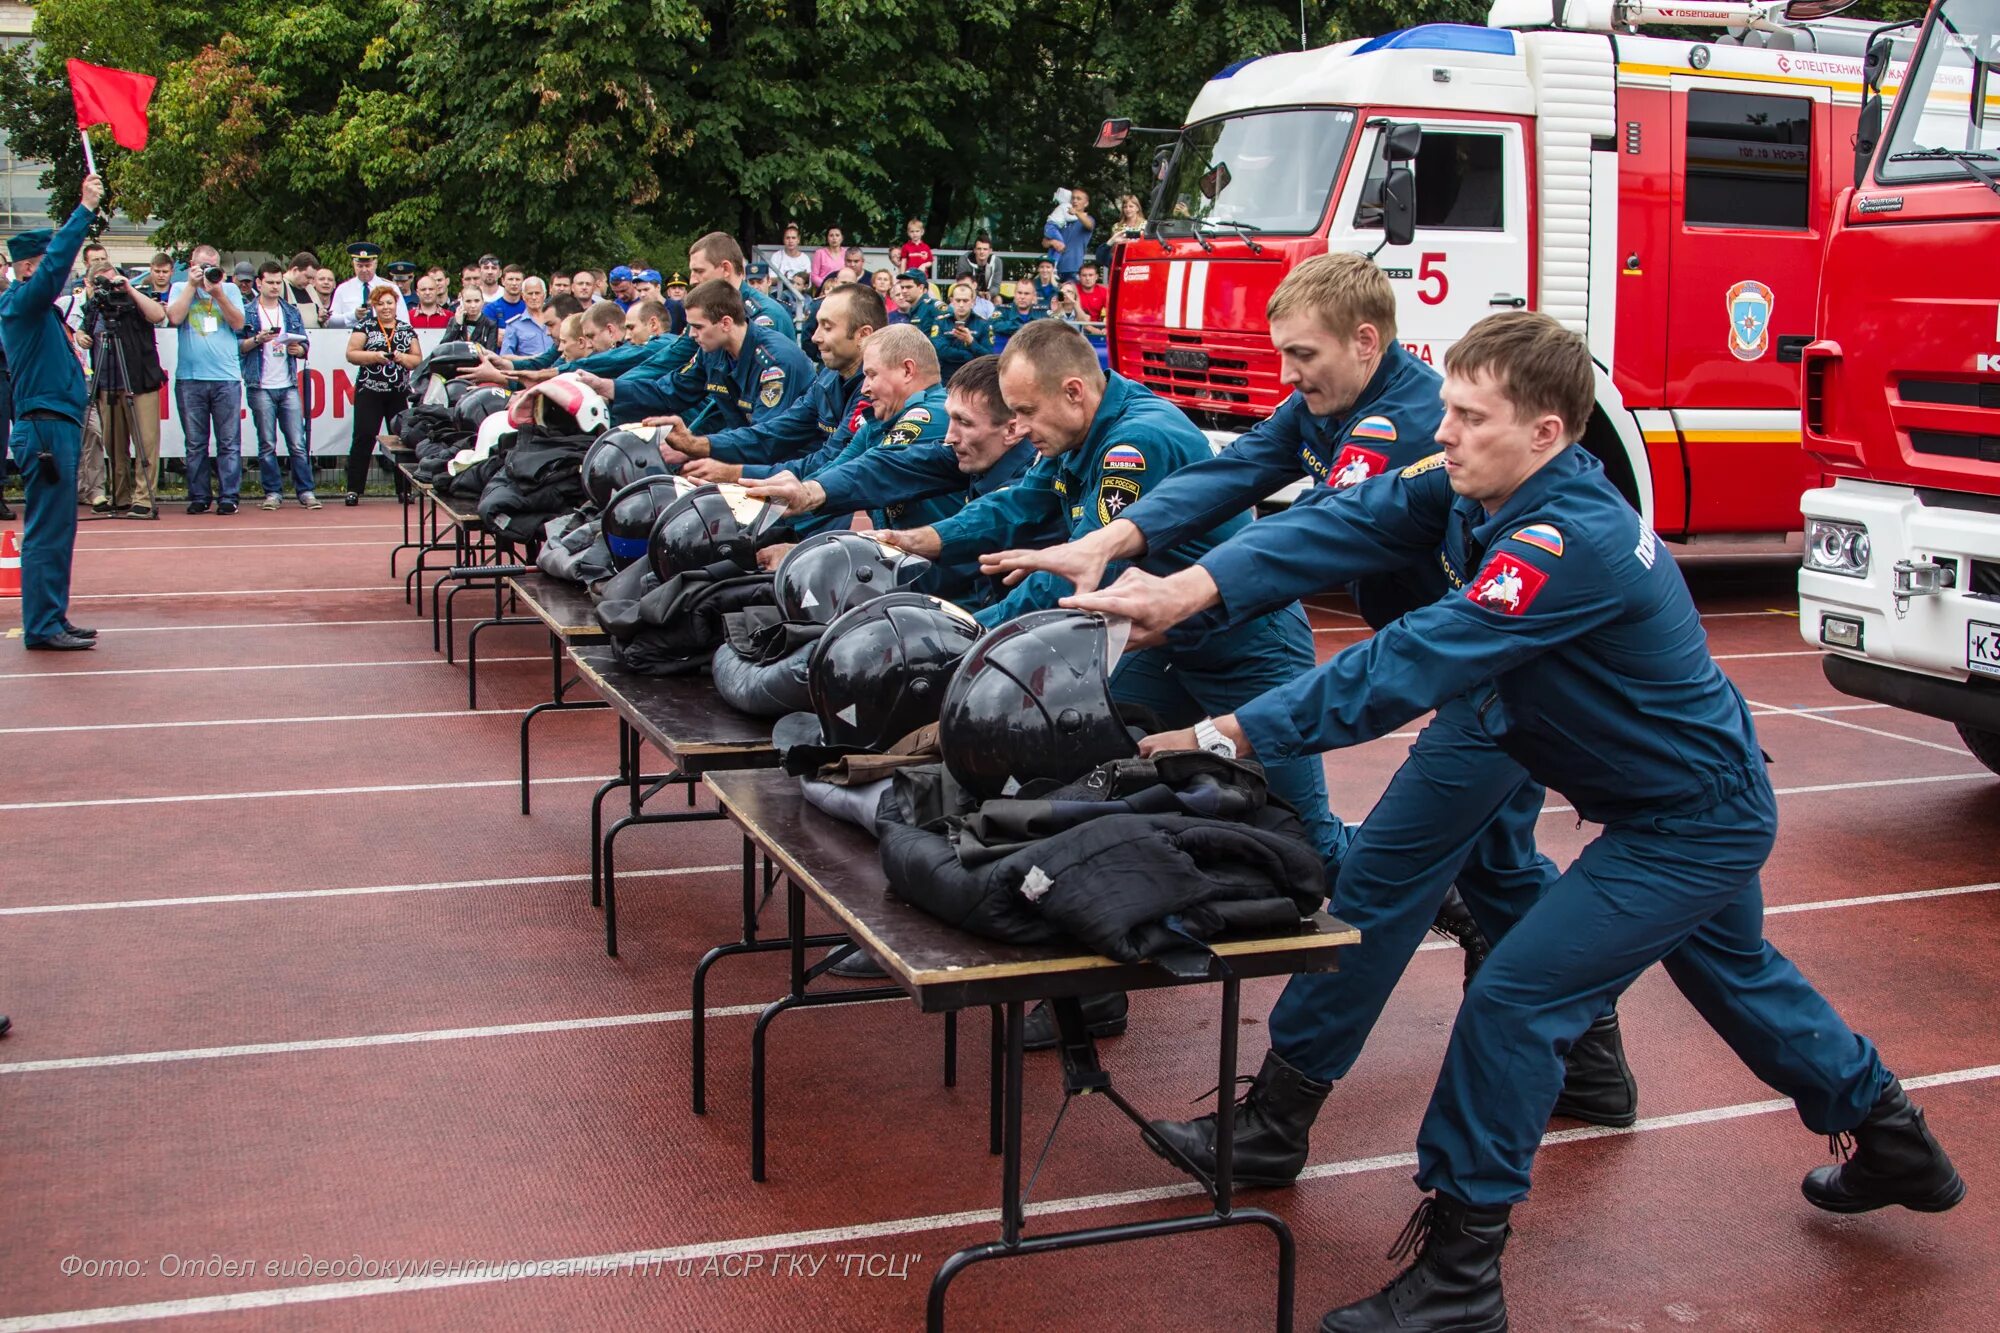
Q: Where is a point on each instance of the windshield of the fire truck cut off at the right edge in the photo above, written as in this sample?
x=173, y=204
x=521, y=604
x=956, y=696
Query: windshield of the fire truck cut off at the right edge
x=1949, y=113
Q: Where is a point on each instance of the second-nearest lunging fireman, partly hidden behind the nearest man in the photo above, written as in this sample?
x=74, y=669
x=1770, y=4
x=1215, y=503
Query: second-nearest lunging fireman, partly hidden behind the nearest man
x=1459, y=810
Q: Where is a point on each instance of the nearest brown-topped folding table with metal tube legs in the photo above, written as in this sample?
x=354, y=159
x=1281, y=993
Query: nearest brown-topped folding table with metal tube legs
x=945, y=970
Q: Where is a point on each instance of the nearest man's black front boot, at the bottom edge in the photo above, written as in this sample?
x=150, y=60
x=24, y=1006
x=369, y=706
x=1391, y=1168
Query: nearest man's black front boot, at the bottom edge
x=1455, y=1282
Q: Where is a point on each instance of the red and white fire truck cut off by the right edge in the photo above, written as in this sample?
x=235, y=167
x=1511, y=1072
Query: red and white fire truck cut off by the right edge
x=1901, y=579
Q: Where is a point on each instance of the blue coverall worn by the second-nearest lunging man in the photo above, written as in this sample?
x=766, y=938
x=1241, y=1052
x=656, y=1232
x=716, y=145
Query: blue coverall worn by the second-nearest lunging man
x=1459, y=808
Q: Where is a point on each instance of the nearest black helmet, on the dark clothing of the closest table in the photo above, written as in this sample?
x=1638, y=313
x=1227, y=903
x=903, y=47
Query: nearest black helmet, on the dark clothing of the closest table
x=1033, y=702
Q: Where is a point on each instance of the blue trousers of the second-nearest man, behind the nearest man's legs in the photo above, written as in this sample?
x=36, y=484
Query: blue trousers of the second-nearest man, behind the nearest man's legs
x=1459, y=810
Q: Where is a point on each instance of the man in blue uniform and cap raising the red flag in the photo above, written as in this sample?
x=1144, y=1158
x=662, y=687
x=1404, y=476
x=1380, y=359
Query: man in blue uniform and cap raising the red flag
x=49, y=421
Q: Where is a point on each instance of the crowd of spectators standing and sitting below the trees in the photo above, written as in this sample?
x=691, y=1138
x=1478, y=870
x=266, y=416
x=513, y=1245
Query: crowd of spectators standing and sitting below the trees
x=243, y=335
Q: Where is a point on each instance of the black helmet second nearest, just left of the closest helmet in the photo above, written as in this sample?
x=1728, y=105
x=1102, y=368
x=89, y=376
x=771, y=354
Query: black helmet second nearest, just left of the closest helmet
x=881, y=670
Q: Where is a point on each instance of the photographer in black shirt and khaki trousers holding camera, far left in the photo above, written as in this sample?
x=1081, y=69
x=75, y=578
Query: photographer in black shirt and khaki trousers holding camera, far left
x=125, y=377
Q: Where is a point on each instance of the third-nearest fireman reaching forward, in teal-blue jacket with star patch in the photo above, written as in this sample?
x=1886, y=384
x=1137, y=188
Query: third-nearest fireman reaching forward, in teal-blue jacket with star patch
x=1103, y=445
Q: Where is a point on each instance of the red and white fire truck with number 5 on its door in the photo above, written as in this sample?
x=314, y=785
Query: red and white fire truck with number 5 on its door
x=1667, y=199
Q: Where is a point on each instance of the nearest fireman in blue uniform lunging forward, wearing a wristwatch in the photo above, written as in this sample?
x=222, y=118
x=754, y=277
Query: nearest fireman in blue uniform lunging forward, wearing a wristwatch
x=1579, y=641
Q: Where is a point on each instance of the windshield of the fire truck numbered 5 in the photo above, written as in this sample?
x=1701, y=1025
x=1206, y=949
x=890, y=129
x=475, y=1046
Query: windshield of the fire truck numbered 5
x=1263, y=171
